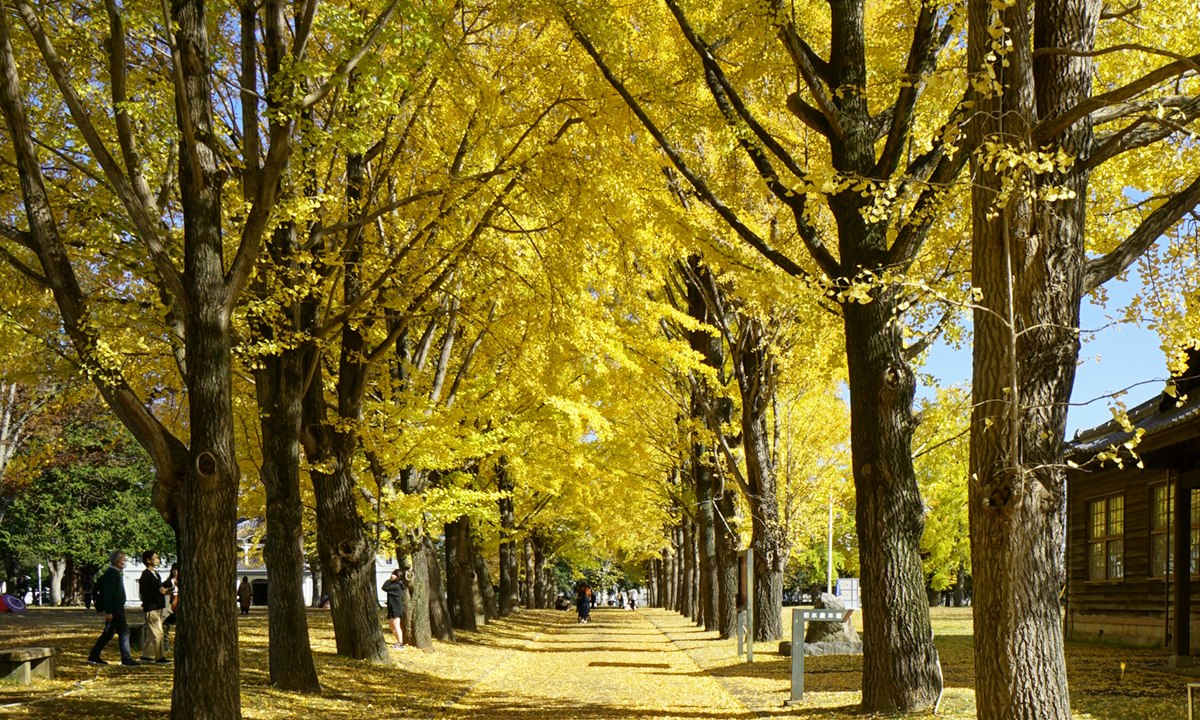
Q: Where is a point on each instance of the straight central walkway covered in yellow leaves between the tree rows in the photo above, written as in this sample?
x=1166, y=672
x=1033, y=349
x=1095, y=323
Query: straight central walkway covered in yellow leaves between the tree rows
x=617, y=667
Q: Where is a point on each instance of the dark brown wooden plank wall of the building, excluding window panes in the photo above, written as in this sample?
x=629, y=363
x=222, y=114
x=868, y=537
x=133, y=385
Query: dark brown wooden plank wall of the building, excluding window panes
x=1136, y=596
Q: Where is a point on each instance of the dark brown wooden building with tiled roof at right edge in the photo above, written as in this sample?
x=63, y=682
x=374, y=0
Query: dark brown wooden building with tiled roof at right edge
x=1130, y=529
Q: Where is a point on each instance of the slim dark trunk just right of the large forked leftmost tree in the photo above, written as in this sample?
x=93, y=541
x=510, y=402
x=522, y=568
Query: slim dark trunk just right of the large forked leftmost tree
x=279, y=385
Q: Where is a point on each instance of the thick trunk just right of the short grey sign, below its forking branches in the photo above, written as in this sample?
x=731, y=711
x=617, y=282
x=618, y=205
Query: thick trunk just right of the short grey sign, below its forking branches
x=901, y=665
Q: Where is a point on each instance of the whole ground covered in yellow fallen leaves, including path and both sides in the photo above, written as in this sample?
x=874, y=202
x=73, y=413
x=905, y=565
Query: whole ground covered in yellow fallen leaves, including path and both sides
x=542, y=664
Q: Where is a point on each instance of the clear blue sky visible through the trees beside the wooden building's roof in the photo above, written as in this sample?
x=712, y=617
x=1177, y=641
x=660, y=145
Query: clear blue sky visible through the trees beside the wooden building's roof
x=1111, y=361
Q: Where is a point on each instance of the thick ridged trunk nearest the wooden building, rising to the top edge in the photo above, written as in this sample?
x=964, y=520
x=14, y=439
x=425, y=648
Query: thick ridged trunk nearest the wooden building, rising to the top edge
x=1029, y=262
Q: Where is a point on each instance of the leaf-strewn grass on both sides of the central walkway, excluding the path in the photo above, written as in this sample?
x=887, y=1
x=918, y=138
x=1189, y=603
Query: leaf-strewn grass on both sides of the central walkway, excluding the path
x=425, y=685
